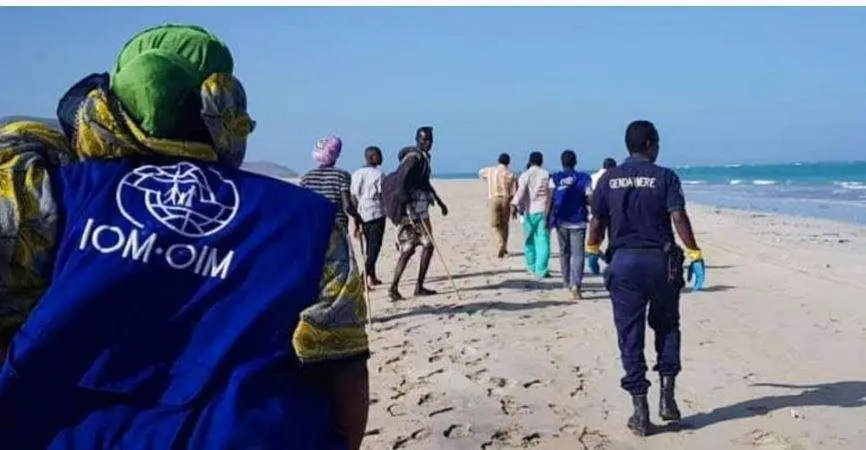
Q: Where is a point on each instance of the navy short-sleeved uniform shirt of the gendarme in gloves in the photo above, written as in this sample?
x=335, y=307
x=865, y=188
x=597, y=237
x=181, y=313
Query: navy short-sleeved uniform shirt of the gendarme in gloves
x=636, y=199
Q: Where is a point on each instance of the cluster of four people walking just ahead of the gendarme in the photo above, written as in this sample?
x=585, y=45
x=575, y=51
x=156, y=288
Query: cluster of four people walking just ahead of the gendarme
x=545, y=203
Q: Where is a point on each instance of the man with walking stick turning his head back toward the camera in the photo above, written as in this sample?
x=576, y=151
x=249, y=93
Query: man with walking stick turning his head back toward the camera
x=407, y=195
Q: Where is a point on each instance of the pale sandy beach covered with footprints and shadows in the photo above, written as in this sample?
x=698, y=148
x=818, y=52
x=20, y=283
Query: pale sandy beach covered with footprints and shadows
x=771, y=349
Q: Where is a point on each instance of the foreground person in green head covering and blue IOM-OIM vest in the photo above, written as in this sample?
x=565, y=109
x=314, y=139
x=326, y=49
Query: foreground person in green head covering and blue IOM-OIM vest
x=155, y=295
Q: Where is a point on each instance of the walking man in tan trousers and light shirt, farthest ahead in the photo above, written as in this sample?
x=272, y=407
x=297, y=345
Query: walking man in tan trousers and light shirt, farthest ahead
x=501, y=184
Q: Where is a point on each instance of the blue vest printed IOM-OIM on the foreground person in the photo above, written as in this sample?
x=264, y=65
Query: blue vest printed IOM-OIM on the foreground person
x=168, y=324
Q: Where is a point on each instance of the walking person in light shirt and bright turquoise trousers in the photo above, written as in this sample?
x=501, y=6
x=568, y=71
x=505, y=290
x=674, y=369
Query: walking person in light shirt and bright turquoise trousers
x=533, y=194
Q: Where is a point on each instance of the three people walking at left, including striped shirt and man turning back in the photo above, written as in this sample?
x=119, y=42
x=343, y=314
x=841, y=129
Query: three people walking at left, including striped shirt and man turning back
x=370, y=197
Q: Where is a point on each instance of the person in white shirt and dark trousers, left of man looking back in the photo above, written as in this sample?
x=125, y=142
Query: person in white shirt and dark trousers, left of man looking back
x=367, y=194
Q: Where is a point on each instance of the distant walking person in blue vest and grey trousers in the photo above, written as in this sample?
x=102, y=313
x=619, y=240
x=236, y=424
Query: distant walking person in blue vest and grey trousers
x=567, y=214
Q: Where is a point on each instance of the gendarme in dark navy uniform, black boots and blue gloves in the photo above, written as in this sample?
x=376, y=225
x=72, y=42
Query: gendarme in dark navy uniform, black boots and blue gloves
x=636, y=203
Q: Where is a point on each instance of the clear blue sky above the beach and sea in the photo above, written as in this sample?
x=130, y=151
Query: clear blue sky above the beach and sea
x=723, y=85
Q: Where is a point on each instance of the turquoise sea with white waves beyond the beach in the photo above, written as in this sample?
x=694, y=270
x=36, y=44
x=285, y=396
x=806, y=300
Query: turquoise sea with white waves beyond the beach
x=829, y=190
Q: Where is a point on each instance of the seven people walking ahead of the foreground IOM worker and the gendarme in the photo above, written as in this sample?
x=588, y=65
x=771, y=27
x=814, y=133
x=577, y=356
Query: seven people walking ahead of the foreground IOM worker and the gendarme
x=545, y=203
